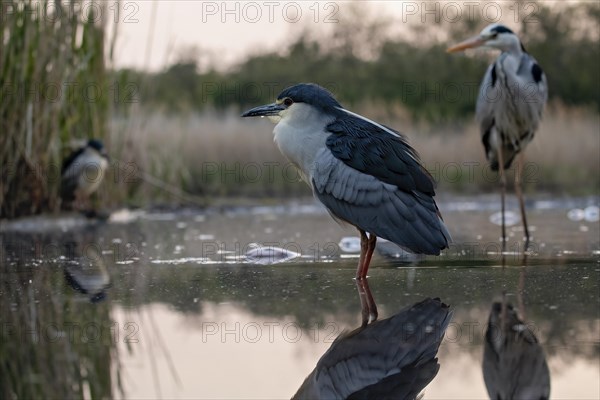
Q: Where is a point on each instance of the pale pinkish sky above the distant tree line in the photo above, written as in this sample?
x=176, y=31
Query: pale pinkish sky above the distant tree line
x=153, y=34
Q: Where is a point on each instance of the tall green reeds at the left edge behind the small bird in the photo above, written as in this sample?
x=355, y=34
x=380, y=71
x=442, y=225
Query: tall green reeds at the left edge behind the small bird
x=54, y=90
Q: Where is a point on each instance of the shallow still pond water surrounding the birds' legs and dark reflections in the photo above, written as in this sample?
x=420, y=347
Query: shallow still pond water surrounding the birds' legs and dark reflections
x=159, y=304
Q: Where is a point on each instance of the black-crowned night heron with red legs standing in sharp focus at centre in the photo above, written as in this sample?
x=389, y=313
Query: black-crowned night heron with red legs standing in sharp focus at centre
x=365, y=173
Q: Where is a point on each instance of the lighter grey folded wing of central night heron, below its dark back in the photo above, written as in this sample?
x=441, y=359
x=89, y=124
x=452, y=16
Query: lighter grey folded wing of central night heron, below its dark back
x=409, y=219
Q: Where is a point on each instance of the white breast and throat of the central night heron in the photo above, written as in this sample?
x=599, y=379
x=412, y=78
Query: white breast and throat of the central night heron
x=300, y=135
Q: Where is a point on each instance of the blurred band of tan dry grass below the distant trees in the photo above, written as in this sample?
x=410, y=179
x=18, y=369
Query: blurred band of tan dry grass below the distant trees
x=222, y=155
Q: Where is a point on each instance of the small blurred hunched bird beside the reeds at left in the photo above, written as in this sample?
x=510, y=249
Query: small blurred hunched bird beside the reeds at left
x=83, y=171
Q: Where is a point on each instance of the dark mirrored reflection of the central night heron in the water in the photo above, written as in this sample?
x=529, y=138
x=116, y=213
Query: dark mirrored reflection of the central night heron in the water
x=392, y=358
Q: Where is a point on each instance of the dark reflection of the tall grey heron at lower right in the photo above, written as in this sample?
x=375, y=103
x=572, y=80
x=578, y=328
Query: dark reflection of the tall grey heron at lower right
x=514, y=364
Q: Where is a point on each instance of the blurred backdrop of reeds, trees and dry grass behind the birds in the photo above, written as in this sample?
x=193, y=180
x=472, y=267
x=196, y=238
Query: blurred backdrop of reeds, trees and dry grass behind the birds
x=175, y=136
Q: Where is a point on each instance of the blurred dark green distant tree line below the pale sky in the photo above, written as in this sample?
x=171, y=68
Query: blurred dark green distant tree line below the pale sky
x=419, y=74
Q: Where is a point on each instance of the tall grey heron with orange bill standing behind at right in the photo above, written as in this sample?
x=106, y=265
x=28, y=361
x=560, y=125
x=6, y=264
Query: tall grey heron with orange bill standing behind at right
x=512, y=96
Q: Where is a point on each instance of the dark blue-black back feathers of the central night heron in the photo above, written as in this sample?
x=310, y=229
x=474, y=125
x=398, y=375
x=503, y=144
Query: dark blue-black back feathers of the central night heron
x=386, y=155
